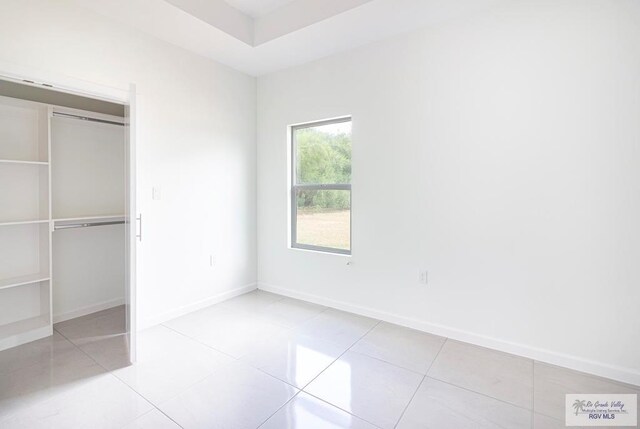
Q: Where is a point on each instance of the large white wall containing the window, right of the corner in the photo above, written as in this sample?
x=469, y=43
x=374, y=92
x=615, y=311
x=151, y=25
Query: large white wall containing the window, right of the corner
x=501, y=153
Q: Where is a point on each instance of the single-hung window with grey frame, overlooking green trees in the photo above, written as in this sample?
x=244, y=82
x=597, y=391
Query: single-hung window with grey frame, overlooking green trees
x=321, y=186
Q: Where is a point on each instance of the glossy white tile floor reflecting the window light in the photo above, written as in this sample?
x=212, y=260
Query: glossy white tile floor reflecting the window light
x=262, y=360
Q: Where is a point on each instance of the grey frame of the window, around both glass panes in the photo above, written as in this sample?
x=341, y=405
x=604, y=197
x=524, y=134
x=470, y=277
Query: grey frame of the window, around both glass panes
x=293, y=200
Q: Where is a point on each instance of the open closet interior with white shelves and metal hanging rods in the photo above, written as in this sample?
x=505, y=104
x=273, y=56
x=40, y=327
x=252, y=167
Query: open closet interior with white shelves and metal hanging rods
x=63, y=210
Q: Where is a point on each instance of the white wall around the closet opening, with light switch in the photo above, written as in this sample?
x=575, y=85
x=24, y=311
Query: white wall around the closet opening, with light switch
x=195, y=136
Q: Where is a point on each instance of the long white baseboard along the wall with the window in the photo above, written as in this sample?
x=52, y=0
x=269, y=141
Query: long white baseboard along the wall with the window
x=624, y=375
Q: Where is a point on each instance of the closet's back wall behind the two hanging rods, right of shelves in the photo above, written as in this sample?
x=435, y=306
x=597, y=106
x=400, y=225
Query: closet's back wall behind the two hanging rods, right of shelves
x=87, y=178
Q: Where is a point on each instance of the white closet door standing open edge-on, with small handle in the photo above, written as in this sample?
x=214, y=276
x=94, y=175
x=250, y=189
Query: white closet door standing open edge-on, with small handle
x=133, y=230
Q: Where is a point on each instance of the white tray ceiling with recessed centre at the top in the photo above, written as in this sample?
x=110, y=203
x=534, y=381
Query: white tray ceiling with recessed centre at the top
x=262, y=36
